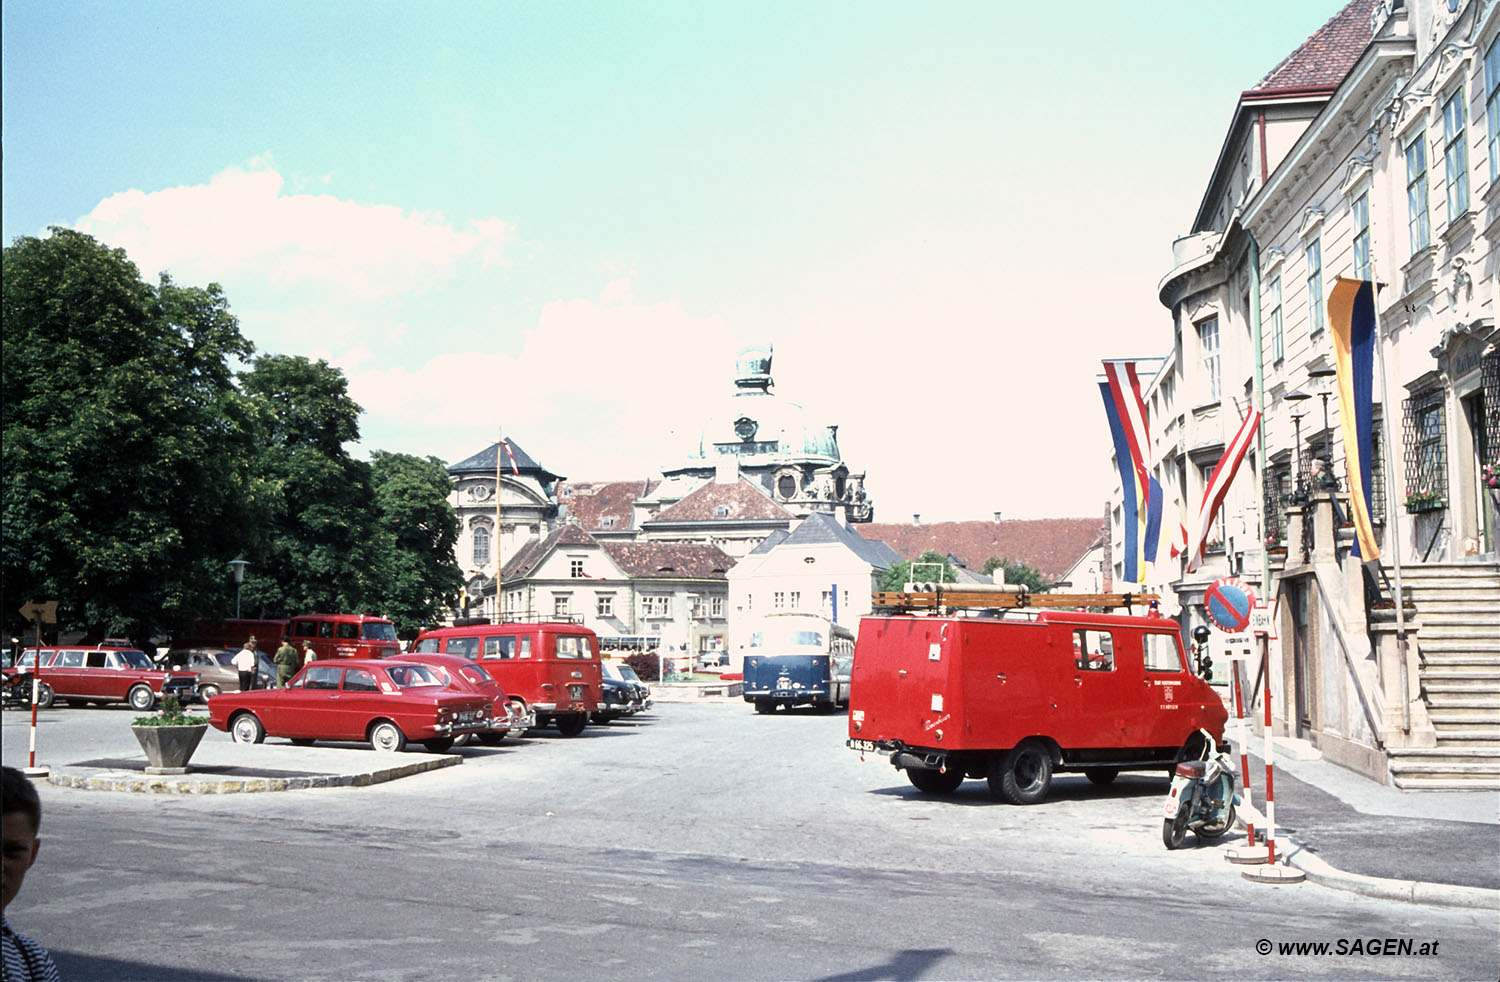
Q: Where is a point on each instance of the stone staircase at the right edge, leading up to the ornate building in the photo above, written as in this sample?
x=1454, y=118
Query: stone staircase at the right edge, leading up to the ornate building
x=1459, y=645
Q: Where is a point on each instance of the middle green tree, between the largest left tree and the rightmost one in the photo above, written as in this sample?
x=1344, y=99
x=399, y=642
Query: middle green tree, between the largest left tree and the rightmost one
x=319, y=549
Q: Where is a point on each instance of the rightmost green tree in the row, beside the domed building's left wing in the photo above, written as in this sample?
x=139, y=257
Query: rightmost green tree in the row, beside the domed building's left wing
x=418, y=534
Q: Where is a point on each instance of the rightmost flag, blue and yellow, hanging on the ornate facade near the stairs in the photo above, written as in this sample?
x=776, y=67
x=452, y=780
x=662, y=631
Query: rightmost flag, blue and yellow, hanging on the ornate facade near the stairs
x=1352, y=328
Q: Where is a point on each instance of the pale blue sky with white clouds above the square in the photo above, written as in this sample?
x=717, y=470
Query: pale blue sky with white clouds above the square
x=562, y=221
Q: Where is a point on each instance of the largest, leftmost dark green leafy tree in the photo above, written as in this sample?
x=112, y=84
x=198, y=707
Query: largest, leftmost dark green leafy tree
x=128, y=452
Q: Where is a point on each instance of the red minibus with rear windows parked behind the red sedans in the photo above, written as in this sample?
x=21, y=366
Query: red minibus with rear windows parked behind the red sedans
x=551, y=666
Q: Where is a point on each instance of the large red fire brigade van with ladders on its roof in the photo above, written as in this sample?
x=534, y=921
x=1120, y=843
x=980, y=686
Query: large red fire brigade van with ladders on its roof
x=1016, y=698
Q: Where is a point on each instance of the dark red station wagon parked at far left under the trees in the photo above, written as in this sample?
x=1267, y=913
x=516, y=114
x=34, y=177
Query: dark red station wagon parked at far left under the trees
x=83, y=675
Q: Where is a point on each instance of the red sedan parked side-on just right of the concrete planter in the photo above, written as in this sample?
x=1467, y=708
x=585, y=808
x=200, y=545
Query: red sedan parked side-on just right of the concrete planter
x=383, y=702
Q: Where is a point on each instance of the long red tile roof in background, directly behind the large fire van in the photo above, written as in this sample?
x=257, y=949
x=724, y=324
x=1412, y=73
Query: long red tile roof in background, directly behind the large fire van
x=1049, y=545
